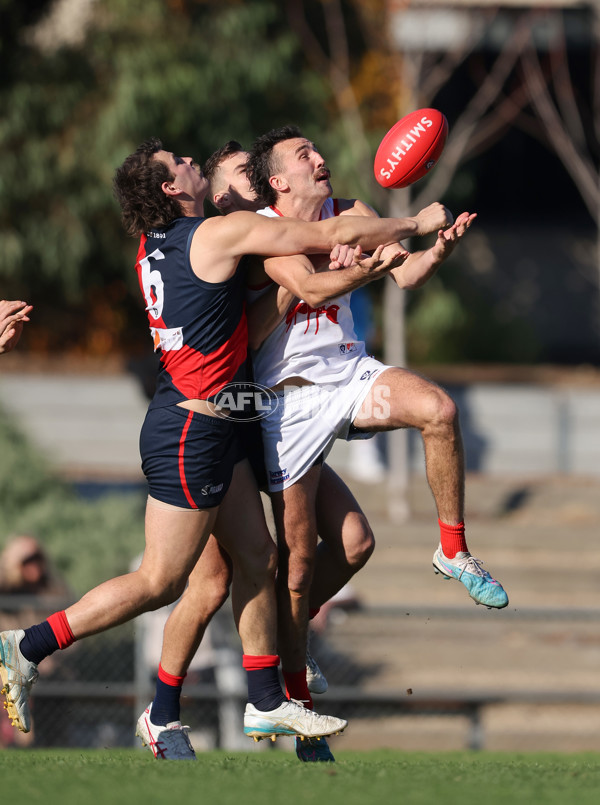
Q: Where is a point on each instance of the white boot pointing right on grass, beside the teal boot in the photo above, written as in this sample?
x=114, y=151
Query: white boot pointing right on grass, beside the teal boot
x=290, y=718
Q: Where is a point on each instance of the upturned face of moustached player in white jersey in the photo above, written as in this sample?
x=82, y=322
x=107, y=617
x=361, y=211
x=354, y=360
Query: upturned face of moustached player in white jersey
x=303, y=168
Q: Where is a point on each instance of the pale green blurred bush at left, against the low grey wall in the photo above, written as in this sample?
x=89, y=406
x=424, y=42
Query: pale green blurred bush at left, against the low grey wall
x=88, y=542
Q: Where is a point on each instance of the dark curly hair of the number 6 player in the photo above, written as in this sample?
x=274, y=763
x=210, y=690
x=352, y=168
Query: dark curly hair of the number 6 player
x=138, y=188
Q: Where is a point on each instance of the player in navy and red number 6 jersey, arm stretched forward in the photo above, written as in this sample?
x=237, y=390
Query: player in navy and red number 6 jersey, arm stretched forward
x=188, y=269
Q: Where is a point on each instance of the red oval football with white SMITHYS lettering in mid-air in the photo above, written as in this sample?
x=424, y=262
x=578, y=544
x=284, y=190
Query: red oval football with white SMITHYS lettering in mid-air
x=411, y=148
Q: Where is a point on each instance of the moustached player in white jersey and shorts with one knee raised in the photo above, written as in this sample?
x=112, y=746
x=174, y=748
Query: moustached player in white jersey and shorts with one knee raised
x=328, y=388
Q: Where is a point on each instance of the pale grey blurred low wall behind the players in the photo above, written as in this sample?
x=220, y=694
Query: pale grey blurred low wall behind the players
x=89, y=425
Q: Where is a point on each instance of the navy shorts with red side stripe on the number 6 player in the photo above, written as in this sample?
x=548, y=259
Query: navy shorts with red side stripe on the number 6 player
x=187, y=457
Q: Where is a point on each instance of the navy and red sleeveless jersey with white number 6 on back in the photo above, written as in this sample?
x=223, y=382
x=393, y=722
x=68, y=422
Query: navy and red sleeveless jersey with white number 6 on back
x=199, y=327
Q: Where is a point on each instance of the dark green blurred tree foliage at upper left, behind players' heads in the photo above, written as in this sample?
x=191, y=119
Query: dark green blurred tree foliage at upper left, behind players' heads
x=195, y=74
